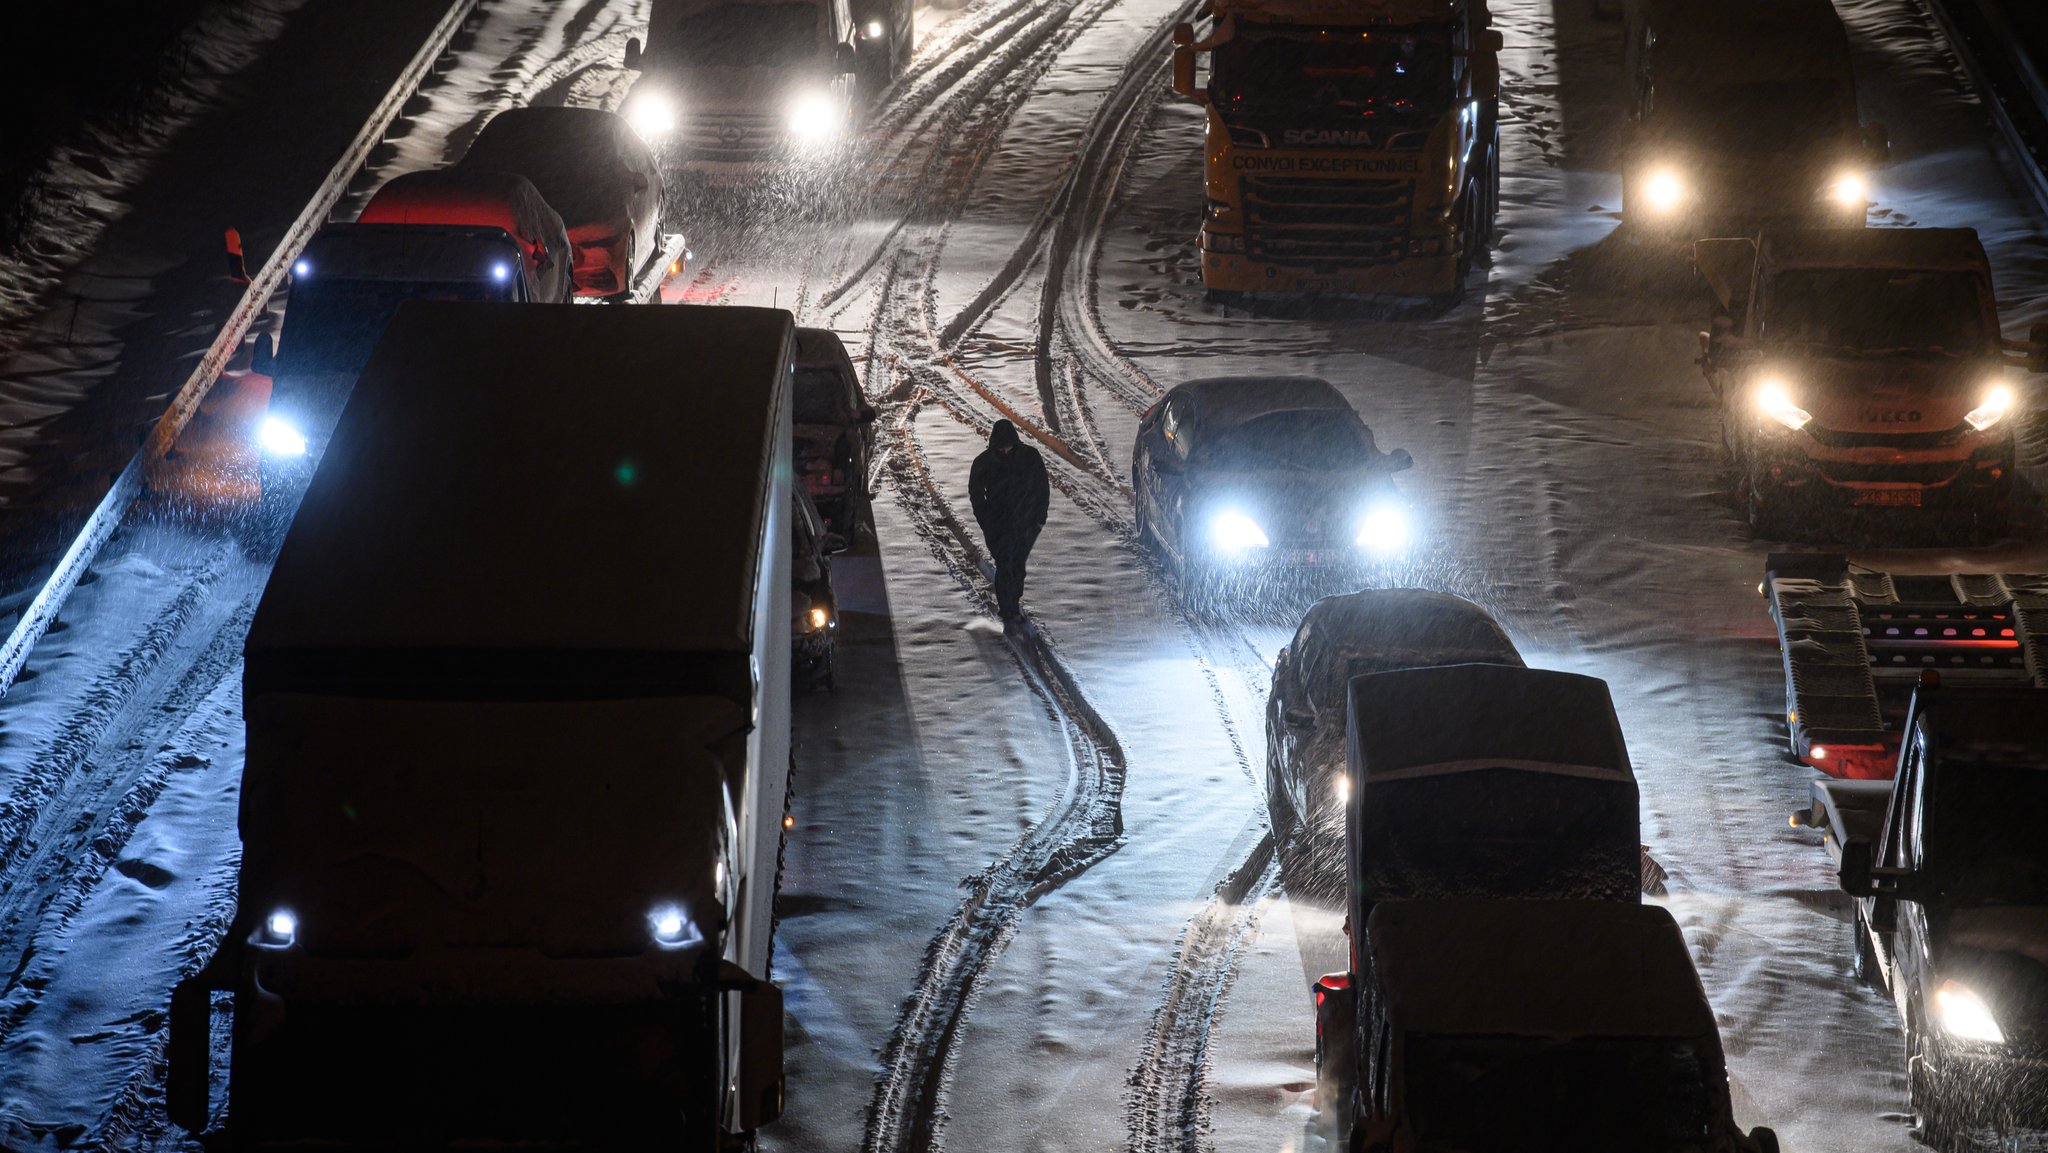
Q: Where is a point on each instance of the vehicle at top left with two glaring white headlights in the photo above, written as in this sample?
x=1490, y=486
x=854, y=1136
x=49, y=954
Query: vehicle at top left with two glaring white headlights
x=734, y=91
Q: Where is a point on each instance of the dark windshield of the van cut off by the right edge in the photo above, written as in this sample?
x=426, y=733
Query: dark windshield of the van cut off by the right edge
x=1994, y=818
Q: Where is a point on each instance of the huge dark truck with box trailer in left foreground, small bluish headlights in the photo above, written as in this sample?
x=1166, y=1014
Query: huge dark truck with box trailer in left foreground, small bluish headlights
x=517, y=706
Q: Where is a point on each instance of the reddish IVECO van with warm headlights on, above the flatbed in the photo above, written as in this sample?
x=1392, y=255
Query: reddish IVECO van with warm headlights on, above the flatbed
x=1863, y=370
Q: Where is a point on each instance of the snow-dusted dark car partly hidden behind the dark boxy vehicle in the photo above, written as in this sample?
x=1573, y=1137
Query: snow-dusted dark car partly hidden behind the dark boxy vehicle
x=1349, y=636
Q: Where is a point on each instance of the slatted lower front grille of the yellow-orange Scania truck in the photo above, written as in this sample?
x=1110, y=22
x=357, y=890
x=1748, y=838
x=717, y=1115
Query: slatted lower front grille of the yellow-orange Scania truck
x=1326, y=222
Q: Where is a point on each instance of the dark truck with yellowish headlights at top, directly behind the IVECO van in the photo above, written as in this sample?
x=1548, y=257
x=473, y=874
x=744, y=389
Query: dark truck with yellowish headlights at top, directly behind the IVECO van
x=1744, y=114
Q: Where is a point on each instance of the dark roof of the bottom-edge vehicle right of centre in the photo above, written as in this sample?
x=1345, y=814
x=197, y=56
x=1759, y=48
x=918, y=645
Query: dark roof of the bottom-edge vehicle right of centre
x=1537, y=970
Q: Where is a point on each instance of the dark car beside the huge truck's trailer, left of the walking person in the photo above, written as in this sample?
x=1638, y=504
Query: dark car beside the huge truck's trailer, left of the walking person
x=835, y=433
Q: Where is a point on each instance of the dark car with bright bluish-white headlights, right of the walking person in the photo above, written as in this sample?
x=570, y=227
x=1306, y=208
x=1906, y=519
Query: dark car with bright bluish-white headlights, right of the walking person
x=1246, y=480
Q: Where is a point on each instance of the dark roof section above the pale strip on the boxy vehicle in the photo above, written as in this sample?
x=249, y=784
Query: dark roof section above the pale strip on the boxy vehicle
x=1484, y=716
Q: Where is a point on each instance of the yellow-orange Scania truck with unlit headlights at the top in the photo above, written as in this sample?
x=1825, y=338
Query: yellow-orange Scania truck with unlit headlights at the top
x=1353, y=144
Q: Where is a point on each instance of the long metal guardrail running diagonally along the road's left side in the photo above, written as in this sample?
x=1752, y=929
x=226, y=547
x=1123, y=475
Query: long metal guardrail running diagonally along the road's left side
x=42, y=611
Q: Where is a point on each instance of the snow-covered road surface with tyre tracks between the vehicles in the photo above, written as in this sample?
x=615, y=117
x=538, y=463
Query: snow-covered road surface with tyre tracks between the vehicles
x=1031, y=896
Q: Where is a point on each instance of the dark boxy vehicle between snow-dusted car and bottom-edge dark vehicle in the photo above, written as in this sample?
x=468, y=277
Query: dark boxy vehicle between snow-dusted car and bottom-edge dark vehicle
x=1474, y=781
